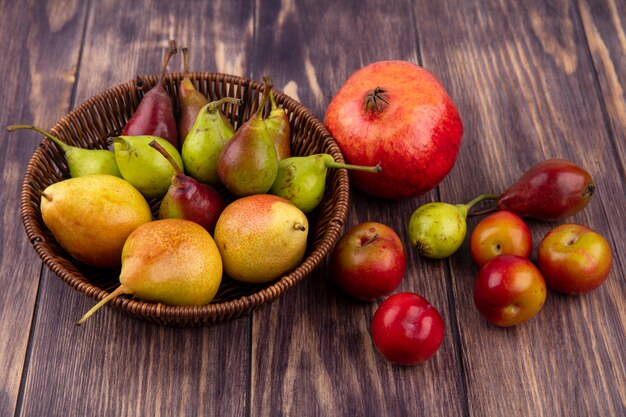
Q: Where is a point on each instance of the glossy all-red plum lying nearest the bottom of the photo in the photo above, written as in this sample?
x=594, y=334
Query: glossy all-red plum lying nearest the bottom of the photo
x=407, y=329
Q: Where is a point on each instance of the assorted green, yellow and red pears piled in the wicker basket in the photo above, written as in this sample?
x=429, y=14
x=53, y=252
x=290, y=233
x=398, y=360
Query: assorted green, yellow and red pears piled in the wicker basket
x=183, y=199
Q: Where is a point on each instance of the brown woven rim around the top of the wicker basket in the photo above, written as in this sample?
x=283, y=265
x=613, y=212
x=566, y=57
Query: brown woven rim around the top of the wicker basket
x=212, y=312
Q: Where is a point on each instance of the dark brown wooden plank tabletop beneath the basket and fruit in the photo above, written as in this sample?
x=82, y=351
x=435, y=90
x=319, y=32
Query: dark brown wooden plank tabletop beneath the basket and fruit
x=532, y=80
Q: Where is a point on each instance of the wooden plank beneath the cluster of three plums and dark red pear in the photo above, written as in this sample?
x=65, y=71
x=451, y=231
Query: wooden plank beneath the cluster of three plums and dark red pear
x=524, y=84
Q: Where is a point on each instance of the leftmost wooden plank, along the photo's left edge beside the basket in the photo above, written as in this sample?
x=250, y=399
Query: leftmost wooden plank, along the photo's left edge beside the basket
x=40, y=44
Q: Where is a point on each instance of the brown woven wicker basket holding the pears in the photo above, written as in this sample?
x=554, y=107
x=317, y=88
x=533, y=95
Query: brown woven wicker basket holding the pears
x=103, y=116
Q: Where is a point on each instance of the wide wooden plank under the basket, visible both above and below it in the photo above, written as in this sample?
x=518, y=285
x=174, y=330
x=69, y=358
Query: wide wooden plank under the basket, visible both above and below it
x=115, y=365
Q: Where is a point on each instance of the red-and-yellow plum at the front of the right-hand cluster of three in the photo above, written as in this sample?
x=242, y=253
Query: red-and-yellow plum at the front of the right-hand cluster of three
x=509, y=290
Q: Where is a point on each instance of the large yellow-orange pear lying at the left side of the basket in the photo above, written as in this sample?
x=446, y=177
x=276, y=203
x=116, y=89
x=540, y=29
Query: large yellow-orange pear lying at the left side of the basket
x=91, y=217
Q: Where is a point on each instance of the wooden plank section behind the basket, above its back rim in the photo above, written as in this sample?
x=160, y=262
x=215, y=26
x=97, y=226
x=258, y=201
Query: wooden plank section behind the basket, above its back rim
x=218, y=35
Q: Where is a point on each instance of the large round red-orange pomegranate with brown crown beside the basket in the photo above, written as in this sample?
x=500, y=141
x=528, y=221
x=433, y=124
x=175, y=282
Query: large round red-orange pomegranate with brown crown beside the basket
x=399, y=115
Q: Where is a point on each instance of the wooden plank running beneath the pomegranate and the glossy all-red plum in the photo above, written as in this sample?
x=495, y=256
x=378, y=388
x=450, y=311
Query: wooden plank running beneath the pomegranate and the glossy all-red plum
x=312, y=351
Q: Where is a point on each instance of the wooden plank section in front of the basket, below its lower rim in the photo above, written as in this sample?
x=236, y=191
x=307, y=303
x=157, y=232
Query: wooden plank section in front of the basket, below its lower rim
x=118, y=366
